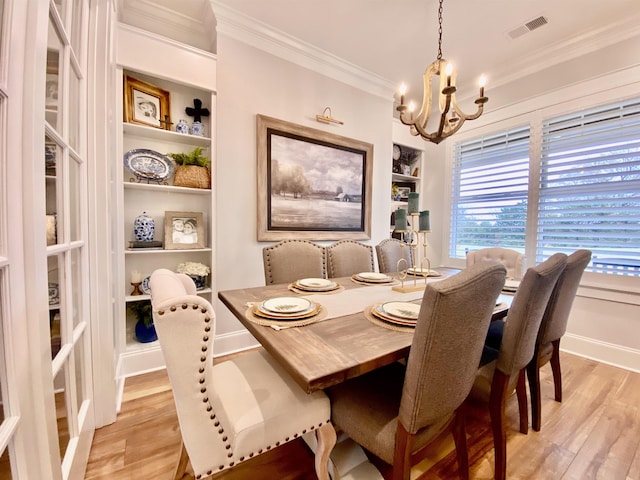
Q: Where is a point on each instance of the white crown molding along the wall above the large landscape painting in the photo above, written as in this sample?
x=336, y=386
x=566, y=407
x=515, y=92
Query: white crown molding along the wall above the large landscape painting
x=257, y=34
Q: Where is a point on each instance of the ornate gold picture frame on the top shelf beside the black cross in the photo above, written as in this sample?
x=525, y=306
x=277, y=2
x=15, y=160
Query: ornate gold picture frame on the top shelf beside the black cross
x=146, y=104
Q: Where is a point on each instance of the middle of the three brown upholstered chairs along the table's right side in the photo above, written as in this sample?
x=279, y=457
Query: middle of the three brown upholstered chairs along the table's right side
x=497, y=379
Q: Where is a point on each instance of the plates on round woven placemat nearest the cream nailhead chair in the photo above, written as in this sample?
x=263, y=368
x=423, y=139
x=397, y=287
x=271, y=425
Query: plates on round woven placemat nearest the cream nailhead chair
x=285, y=312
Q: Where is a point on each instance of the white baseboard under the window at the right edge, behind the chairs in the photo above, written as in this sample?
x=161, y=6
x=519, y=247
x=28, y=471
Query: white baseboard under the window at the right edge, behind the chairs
x=616, y=355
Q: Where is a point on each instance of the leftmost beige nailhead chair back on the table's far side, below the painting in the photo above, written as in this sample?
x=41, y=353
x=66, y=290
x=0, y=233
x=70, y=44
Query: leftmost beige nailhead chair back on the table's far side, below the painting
x=291, y=260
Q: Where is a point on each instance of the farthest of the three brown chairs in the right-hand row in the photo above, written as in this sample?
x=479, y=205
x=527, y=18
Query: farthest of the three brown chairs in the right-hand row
x=552, y=328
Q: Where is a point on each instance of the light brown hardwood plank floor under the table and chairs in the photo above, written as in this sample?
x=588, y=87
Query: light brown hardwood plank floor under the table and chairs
x=593, y=434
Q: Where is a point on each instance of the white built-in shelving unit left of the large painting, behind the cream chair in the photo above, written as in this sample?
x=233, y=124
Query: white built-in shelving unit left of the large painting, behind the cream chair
x=166, y=72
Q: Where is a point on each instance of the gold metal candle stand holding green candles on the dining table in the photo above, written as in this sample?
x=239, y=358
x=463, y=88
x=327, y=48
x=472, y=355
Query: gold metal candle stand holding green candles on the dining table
x=413, y=238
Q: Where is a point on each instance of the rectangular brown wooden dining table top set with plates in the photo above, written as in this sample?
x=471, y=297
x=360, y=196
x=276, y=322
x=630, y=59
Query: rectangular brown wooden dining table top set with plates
x=330, y=351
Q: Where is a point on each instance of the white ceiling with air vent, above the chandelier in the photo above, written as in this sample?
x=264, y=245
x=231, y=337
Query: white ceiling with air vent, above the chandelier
x=397, y=39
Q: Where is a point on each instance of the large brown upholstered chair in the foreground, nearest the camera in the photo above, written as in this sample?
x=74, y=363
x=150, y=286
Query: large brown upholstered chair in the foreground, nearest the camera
x=395, y=412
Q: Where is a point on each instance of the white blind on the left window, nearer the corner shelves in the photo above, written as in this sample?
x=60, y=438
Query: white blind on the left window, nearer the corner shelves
x=489, y=194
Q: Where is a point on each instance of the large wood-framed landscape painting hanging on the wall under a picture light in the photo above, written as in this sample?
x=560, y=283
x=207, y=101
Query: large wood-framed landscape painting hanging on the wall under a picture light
x=312, y=184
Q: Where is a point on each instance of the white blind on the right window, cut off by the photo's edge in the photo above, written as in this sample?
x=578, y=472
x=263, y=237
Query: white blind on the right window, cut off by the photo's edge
x=590, y=187
